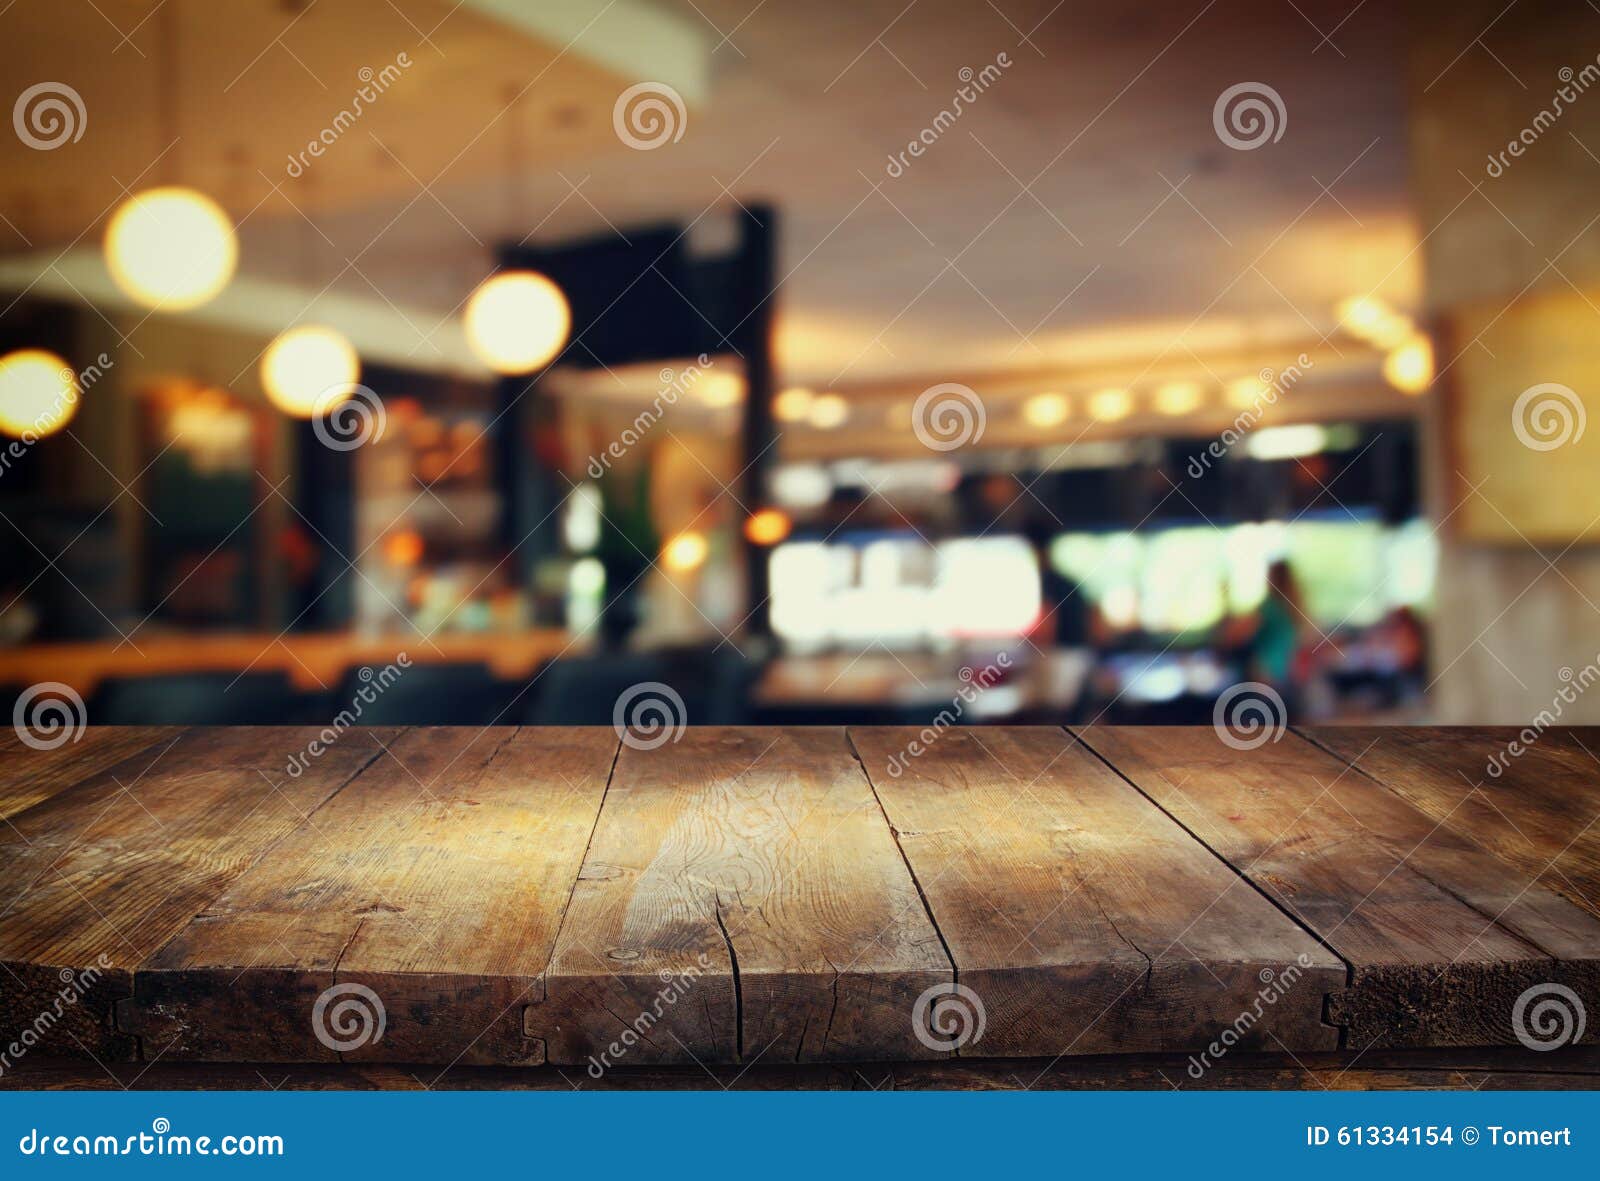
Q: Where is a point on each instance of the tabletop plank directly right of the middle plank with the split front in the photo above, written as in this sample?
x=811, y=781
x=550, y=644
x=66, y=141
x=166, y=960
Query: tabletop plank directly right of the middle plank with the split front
x=1082, y=918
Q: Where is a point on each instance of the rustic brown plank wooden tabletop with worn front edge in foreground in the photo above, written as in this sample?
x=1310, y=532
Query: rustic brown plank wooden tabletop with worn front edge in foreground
x=991, y=905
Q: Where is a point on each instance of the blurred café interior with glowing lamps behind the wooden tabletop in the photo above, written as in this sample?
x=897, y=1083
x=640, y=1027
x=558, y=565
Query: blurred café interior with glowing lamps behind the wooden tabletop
x=830, y=362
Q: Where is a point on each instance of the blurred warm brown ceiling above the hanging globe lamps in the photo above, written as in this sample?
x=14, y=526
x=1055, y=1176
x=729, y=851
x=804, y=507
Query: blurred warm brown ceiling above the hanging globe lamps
x=1081, y=212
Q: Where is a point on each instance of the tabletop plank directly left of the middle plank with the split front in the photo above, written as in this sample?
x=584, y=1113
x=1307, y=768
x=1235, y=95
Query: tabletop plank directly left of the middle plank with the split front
x=438, y=883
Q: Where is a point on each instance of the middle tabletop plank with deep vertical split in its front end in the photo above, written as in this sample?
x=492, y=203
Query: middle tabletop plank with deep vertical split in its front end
x=743, y=900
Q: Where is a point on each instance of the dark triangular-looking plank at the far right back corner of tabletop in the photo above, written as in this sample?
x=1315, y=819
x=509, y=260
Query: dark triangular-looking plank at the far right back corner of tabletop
x=1538, y=811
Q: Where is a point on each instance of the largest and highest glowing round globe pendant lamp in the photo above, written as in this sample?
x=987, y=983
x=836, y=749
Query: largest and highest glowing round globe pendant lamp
x=172, y=249
